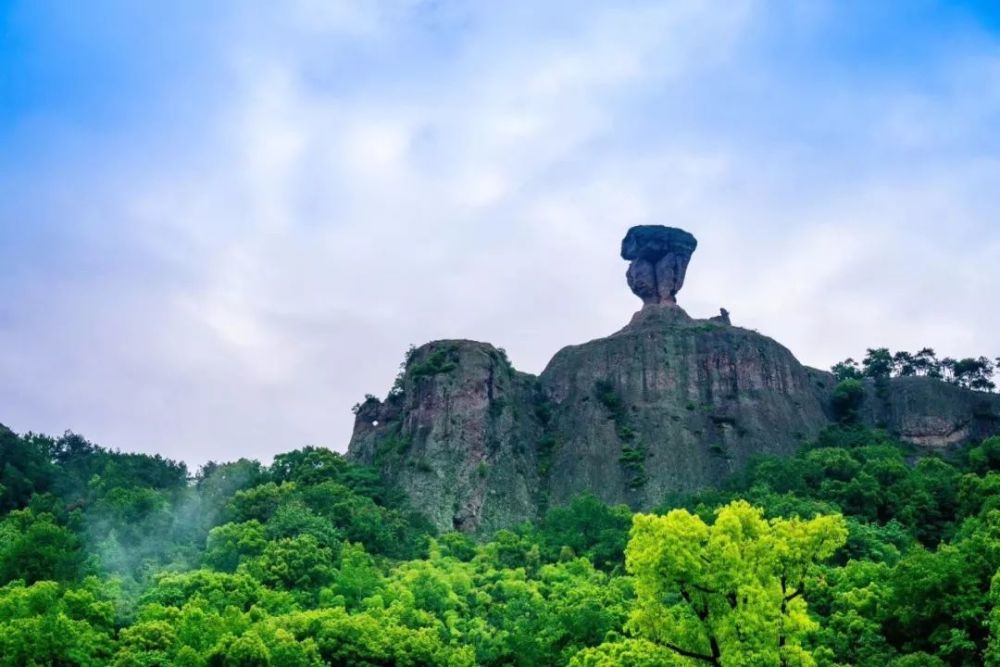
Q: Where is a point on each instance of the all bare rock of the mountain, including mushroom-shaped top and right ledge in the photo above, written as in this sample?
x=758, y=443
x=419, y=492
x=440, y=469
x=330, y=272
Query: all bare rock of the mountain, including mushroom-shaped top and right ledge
x=669, y=403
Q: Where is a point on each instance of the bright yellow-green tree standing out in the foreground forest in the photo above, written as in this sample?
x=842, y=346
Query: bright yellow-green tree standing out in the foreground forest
x=728, y=594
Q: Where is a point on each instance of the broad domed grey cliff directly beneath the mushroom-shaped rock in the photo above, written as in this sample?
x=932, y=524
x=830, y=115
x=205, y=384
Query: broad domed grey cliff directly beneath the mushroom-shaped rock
x=672, y=404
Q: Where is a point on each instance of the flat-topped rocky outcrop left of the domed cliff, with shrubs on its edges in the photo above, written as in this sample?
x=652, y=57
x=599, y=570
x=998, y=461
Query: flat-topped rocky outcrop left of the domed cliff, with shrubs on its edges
x=457, y=435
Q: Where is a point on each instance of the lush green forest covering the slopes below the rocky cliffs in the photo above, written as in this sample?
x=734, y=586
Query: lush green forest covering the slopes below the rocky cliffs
x=855, y=551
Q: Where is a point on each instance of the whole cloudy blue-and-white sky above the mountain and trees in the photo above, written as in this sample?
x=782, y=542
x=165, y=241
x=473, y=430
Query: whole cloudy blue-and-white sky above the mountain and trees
x=222, y=224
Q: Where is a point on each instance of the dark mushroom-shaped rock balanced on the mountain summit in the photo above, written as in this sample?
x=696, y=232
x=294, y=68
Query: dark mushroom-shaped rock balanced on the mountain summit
x=658, y=259
